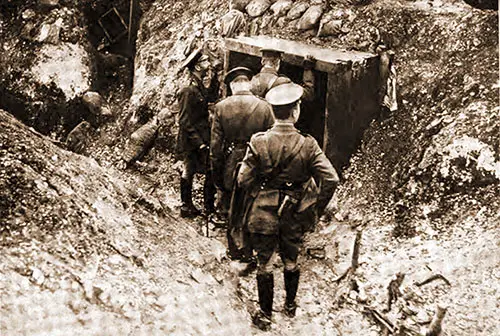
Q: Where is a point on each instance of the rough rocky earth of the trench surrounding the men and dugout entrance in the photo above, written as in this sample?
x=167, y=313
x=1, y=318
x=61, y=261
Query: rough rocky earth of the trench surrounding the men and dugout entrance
x=90, y=249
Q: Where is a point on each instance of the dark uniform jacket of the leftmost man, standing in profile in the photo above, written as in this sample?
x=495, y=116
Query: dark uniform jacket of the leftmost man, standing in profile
x=194, y=127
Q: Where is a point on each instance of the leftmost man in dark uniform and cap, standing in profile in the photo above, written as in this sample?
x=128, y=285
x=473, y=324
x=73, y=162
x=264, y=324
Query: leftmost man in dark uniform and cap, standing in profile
x=194, y=132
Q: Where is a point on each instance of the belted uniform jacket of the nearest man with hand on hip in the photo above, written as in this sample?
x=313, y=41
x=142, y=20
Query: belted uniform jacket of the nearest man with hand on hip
x=266, y=150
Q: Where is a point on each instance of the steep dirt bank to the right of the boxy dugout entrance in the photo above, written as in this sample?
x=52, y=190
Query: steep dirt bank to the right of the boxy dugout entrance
x=448, y=112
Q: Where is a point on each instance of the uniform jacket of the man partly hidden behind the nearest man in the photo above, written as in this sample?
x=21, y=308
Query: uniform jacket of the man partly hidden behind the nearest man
x=236, y=119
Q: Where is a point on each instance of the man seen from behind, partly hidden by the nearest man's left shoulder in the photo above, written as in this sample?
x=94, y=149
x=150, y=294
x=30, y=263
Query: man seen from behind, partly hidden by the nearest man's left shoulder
x=236, y=119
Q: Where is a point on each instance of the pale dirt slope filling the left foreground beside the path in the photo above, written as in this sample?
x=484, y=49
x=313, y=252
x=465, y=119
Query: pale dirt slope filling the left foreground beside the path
x=95, y=251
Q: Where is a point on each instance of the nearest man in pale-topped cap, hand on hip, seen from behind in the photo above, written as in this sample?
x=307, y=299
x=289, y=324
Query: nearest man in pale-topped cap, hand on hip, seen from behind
x=281, y=170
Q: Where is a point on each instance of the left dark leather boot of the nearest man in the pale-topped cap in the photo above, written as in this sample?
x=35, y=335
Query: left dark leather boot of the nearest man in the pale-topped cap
x=265, y=286
